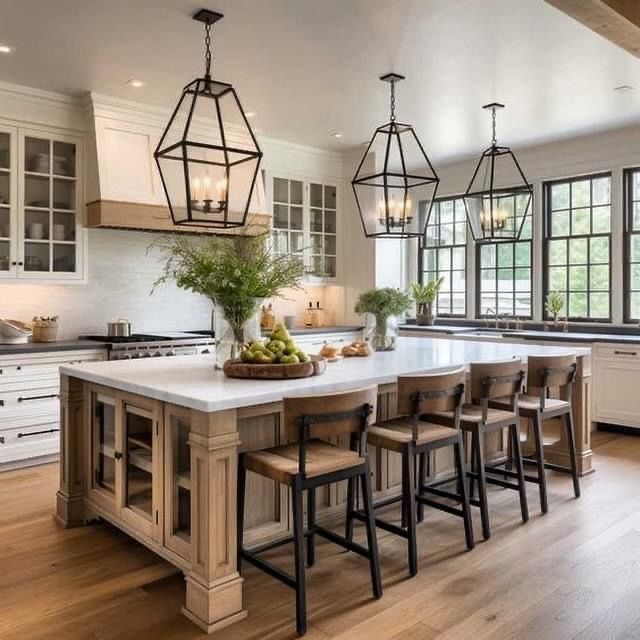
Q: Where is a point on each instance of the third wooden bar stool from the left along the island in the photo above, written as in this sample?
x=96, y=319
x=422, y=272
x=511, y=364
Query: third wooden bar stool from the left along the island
x=489, y=381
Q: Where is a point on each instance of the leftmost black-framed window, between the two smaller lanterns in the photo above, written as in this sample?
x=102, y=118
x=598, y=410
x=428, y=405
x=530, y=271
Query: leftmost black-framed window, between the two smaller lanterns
x=444, y=255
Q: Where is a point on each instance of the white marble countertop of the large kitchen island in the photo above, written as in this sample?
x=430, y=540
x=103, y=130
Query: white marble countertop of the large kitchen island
x=192, y=381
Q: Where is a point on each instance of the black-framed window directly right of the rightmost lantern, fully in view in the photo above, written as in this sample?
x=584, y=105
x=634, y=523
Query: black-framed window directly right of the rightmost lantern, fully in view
x=577, y=251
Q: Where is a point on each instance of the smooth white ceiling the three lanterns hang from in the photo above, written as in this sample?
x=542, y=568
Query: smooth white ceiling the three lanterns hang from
x=309, y=68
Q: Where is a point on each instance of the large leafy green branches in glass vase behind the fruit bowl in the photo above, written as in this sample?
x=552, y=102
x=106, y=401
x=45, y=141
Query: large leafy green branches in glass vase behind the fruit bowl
x=236, y=273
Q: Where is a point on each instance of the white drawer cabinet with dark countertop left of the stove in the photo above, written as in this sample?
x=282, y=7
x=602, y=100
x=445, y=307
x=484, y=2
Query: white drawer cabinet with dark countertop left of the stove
x=30, y=406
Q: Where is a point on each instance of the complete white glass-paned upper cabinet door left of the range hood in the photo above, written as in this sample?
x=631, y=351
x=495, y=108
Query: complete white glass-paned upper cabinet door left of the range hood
x=50, y=204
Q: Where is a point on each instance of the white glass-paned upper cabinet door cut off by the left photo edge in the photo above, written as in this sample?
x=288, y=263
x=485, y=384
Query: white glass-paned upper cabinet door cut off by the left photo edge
x=8, y=204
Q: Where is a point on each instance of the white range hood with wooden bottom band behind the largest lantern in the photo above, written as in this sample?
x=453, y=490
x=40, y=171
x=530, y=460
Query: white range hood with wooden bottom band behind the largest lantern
x=124, y=190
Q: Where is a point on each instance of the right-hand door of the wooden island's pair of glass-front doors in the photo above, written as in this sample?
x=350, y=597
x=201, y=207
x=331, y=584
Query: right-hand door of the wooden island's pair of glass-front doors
x=142, y=466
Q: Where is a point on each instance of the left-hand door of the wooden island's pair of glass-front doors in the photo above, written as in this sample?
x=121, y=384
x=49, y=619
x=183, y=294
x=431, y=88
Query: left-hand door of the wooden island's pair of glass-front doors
x=105, y=455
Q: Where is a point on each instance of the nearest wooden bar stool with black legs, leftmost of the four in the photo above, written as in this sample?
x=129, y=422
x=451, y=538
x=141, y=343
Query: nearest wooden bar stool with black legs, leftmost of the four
x=308, y=463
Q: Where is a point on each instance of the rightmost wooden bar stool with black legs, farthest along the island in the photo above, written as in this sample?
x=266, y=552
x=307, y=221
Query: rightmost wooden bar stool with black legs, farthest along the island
x=545, y=373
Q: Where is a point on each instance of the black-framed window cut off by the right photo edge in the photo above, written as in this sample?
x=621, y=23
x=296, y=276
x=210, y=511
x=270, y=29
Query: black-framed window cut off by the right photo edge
x=632, y=245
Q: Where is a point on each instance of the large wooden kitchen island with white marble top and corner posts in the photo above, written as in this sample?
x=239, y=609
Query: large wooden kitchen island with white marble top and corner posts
x=151, y=446
